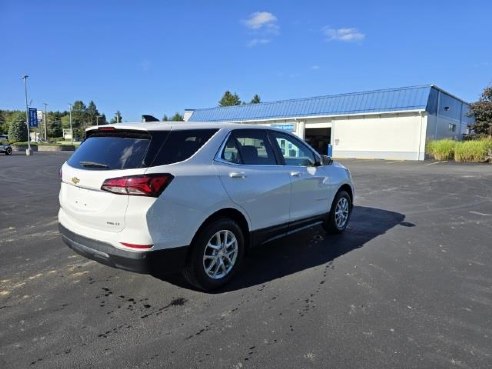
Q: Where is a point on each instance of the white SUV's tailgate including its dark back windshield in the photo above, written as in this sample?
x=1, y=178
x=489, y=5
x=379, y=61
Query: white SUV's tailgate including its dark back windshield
x=105, y=154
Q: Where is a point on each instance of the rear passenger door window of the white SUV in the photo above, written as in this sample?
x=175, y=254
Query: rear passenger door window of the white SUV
x=249, y=147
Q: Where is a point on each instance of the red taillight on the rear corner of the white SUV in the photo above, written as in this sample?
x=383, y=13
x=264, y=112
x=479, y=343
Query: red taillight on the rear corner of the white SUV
x=140, y=185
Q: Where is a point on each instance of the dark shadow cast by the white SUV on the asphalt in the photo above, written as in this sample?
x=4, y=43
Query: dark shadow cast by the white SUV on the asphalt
x=307, y=249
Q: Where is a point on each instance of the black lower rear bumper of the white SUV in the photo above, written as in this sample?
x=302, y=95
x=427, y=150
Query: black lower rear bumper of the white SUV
x=148, y=262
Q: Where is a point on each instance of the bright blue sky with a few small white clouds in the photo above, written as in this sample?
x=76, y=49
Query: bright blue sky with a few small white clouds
x=161, y=57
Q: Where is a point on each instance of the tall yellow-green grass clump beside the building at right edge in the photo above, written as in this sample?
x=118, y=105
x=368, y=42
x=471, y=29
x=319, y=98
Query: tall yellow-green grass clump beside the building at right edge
x=461, y=151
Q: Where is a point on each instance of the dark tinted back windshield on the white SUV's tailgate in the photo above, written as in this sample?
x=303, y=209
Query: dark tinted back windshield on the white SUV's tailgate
x=112, y=150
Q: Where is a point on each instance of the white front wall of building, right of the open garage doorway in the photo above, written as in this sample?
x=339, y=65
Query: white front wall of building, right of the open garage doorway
x=386, y=136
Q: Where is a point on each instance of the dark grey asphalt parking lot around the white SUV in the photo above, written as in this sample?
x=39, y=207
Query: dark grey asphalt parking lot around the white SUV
x=409, y=285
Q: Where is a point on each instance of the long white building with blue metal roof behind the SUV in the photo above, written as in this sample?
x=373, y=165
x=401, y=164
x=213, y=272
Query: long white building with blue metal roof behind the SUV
x=382, y=124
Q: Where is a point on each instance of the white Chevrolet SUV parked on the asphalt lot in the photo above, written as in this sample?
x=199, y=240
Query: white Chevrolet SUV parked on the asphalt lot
x=156, y=197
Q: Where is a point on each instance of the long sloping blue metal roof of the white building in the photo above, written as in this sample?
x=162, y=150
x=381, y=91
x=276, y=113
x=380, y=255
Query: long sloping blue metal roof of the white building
x=397, y=99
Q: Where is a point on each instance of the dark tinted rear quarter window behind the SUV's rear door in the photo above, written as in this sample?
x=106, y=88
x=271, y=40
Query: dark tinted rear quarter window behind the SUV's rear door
x=181, y=145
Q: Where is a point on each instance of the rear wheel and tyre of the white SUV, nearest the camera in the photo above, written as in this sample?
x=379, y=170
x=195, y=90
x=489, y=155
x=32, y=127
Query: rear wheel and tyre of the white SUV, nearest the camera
x=216, y=254
